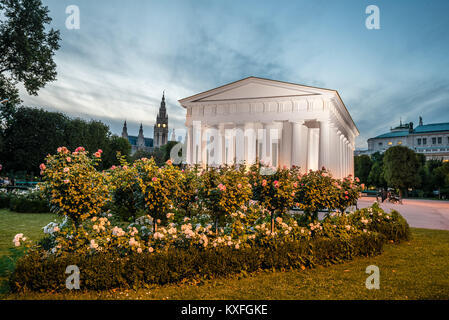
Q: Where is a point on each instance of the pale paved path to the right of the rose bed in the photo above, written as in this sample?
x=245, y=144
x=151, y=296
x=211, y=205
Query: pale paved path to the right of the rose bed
x=428, y=214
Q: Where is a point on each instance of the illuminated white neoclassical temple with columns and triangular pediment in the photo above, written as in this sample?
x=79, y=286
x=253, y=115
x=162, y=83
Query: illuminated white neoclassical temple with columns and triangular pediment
x=280, y=123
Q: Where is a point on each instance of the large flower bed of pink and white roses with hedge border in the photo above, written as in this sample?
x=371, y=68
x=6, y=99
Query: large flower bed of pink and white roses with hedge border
x=190, y=223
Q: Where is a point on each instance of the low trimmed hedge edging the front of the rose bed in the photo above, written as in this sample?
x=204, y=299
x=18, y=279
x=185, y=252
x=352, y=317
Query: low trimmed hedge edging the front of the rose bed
x=107, y=271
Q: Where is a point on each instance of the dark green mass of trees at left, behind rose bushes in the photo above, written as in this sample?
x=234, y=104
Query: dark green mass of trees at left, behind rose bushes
x=31, y=134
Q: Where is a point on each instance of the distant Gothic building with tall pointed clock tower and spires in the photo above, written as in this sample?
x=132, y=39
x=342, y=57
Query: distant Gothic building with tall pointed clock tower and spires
x=160, y=132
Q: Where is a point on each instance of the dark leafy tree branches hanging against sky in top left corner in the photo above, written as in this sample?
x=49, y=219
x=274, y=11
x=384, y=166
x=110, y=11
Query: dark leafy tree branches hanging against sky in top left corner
x=27, y=46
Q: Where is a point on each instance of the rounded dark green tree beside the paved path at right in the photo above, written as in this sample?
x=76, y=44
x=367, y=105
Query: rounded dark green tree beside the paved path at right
x=401, y=166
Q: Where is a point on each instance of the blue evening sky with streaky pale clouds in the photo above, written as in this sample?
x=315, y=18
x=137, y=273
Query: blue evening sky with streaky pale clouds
x=126, y=53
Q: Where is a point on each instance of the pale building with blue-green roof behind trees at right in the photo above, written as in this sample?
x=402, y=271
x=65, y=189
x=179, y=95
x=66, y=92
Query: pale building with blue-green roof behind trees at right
x=432, y=140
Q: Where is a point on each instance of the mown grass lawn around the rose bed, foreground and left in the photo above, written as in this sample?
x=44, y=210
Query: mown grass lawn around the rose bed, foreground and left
x=413, y=270
